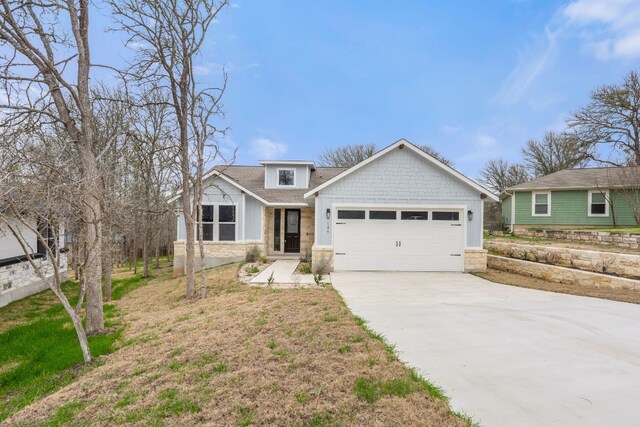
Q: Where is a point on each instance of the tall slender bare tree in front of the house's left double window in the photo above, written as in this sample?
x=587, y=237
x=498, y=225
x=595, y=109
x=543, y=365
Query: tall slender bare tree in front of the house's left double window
x=170, y=35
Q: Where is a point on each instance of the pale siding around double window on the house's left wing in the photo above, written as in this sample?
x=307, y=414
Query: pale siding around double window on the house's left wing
x=220, y=192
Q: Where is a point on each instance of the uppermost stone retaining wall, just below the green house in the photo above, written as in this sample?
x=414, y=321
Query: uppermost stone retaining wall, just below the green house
x=624, y=240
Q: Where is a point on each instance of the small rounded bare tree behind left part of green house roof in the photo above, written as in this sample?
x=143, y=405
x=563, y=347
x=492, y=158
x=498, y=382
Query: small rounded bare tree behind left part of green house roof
x=555, y=152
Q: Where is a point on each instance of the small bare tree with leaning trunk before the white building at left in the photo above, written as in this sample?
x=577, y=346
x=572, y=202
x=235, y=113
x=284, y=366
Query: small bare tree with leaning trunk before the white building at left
x=37, y=195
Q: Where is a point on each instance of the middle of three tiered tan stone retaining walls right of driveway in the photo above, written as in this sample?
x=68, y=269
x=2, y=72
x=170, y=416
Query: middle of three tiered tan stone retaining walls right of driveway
x=602, y=262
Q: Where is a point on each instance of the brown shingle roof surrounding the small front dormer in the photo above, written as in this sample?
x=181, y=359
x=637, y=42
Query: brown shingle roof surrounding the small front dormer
x=252, y=178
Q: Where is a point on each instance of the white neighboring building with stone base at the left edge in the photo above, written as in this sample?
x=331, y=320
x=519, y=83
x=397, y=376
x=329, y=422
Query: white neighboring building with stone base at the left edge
x=17, y=277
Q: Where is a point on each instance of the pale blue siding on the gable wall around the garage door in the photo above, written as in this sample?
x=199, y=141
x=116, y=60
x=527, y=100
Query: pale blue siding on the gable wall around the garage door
x=400, y=177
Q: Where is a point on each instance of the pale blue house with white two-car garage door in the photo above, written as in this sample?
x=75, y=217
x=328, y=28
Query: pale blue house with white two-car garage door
x=399, y=210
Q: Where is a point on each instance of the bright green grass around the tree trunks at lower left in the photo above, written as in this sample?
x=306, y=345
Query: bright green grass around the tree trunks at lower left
x=39, y=351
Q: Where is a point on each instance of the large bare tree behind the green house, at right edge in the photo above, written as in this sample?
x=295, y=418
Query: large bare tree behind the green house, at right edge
x=611, y=122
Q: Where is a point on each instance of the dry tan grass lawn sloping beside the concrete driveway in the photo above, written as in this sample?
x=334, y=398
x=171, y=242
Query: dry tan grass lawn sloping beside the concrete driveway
x=243, y=356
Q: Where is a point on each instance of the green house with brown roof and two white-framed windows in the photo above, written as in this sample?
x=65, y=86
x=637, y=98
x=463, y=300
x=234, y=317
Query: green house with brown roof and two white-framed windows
x=574, y=198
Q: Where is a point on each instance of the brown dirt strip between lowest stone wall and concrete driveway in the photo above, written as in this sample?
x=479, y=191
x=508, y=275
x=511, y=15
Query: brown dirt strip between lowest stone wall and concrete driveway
x=514, y=279
